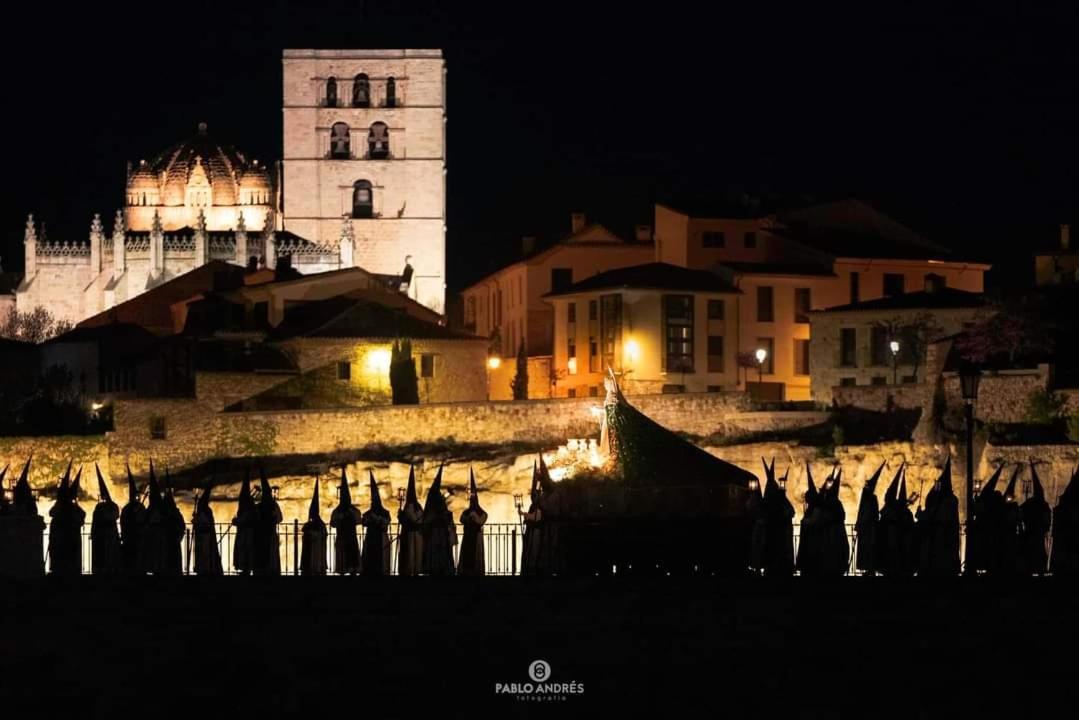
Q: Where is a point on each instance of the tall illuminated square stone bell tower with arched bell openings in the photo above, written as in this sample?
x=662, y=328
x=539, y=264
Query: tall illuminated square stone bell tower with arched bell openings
x=365, y=143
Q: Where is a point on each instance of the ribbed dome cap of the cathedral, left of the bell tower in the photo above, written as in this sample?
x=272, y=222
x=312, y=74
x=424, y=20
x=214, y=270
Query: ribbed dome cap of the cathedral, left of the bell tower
x=222, y=164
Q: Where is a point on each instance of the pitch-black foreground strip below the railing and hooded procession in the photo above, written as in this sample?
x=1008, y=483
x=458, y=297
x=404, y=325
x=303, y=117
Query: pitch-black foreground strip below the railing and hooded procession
x=259, y=648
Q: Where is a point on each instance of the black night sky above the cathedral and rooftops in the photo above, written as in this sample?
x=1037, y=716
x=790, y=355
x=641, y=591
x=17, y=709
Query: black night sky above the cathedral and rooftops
x=962, y=124
